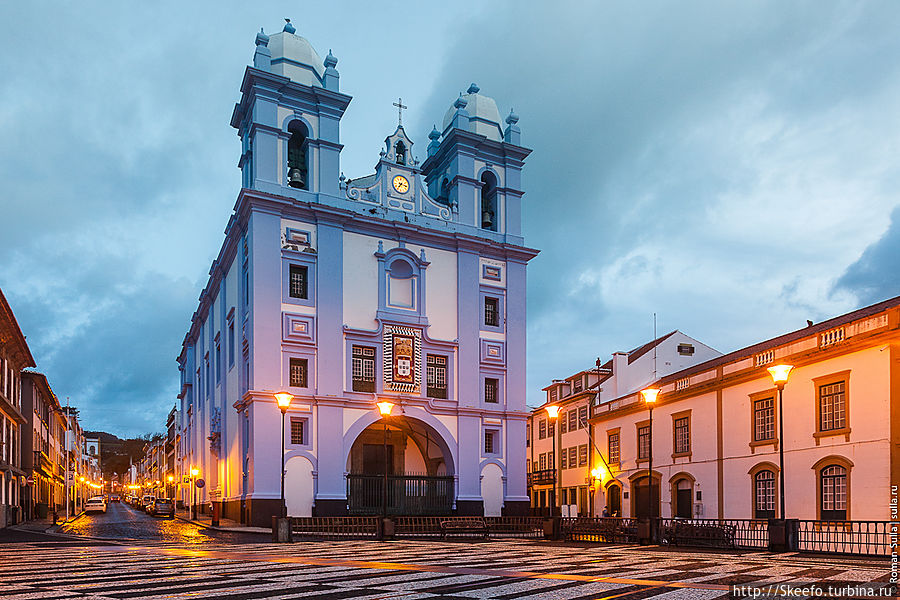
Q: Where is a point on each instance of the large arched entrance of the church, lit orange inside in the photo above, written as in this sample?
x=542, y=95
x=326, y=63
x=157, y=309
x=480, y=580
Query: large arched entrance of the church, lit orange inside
x=402, y=466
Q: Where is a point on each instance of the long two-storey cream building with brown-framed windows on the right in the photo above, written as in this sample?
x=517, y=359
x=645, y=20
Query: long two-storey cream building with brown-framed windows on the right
x=715, y=430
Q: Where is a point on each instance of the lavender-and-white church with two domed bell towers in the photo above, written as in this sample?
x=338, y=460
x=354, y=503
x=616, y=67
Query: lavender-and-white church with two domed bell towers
x=404, y=287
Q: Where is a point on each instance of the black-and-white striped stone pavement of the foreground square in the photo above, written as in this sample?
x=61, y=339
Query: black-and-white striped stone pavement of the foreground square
x=500, y=569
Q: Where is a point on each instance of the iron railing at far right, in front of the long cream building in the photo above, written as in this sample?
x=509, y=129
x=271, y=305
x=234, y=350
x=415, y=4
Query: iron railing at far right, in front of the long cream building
x=846, y=537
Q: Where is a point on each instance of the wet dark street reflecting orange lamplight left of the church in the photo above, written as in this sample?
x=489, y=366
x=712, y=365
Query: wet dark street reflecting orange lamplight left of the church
x=124, y=522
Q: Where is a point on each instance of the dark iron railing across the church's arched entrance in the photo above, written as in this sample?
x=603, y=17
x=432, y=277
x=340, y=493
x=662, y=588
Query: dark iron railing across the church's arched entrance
x=405, y=495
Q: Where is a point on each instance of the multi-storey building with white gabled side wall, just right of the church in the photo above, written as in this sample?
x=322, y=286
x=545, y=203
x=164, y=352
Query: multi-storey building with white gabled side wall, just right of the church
x=562, y=454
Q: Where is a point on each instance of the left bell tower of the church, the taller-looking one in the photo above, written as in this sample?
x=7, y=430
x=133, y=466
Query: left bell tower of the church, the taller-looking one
x=288, y=118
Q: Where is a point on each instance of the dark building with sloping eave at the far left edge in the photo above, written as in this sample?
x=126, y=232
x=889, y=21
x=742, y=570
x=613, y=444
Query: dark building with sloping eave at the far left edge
x=14, y=357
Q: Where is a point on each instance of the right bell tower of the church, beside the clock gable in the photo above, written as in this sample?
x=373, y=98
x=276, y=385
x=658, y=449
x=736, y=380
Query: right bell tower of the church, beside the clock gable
x=474, y=166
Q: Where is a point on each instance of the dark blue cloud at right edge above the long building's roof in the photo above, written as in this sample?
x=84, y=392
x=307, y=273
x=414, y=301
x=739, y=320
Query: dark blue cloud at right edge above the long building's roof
x=874, y=276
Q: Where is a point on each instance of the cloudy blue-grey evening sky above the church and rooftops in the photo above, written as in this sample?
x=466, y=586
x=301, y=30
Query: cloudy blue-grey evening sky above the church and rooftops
x=731, y=166
